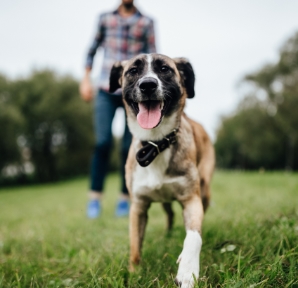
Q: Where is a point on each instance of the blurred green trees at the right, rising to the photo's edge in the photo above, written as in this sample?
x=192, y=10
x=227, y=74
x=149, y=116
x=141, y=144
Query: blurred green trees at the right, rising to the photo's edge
x=263, y=130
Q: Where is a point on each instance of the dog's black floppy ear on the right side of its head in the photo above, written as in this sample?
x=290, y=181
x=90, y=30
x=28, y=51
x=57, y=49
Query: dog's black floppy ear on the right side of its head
x=187, y=74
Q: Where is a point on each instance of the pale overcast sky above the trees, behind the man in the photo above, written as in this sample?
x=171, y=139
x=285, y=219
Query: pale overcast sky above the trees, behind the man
x=224, y=40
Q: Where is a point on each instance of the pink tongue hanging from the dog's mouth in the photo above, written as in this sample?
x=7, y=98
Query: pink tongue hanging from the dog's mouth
x=149, y=116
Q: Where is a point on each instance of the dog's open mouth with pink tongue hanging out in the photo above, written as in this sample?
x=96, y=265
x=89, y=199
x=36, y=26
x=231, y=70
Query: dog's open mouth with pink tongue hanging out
x=149, y=113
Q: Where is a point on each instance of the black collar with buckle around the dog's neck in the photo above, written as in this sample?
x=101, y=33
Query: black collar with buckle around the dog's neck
x=151, y=149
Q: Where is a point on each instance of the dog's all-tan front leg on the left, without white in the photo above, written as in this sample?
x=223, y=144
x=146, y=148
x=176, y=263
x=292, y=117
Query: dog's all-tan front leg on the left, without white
x=137, y=224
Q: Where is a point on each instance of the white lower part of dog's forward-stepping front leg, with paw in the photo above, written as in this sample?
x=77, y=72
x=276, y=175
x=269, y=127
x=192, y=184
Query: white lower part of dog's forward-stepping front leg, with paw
x=189, y=260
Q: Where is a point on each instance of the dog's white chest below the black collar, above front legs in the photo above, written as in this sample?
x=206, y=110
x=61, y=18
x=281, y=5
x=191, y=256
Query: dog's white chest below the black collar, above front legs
x=152, y=181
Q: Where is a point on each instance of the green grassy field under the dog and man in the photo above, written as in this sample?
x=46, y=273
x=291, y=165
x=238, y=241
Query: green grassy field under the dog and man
x=250, y=236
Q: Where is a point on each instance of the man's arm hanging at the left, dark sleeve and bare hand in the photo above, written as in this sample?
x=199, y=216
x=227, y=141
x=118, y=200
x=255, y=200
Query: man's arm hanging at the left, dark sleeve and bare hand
x=86, y=89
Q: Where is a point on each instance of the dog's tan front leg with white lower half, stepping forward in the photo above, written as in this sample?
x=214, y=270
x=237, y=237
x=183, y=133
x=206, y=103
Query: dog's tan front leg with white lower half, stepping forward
x=189, y=259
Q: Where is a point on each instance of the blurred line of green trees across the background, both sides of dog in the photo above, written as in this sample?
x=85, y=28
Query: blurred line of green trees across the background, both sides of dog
x=46, y=131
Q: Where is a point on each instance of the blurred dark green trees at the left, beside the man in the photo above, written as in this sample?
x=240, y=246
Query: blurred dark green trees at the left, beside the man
x=44, y=121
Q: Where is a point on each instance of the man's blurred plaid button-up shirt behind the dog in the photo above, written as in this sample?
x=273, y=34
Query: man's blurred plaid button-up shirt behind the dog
x=121, y=38
